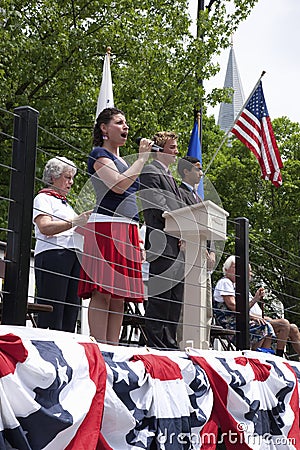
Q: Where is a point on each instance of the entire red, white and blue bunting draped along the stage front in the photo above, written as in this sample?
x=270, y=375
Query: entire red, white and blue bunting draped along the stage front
x=60, y=391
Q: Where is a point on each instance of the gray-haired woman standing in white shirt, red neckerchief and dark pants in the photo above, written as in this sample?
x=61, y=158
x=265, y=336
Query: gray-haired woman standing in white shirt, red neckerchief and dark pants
x=56, y=262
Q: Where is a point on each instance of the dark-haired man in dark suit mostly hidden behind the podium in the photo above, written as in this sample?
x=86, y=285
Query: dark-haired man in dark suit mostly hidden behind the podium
x=190, y=171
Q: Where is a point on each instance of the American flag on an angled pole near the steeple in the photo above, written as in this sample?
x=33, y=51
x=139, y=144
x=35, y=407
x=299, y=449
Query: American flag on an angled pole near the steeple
x=254, y=129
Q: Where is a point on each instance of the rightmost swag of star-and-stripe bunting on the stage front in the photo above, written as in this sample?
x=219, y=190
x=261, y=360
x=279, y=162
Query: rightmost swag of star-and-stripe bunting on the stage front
x=256, y=400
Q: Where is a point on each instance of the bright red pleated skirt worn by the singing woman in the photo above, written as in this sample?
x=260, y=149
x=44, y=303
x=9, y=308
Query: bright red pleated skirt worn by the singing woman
x=111, y=261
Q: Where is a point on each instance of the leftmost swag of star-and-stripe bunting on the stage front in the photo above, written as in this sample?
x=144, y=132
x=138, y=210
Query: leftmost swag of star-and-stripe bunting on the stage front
x=51, y=392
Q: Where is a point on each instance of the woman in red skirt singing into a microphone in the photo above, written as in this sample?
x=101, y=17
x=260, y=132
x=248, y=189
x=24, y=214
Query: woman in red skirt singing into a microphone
x=111, y=263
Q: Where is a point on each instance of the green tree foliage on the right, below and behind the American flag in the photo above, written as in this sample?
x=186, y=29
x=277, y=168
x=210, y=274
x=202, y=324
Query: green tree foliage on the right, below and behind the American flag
x=273, y=213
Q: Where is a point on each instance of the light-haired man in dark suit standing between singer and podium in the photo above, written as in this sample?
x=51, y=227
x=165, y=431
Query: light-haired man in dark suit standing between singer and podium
x=159, y=193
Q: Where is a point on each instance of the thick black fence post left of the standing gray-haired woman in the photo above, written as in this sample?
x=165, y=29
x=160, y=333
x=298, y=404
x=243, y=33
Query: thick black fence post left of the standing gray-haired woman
x=20, y=216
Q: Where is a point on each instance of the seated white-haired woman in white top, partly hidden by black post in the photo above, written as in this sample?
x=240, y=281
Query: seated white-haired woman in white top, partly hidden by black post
x=261, y=332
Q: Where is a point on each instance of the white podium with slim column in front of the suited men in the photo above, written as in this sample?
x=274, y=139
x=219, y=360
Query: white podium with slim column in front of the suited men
x=195, y=225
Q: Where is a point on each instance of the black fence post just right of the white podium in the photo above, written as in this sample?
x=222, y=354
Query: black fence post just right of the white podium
x=242, y=282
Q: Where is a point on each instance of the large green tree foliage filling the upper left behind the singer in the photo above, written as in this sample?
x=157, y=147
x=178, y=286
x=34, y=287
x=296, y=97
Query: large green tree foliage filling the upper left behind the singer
x=52, y=58
